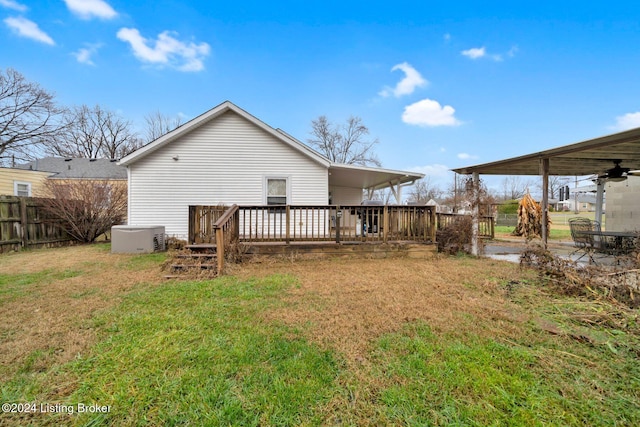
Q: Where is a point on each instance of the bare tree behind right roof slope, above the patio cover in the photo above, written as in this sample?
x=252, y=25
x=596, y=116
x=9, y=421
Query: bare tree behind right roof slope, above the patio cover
x=345, y=144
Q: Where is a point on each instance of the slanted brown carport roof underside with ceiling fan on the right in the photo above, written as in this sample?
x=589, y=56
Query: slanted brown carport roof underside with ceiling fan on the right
x=582, y=158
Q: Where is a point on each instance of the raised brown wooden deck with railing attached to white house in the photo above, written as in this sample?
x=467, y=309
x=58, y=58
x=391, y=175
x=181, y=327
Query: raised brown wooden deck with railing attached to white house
x=378, y=231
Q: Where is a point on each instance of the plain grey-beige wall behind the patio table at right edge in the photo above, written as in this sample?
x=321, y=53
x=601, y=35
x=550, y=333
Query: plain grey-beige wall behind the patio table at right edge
x=623, y=213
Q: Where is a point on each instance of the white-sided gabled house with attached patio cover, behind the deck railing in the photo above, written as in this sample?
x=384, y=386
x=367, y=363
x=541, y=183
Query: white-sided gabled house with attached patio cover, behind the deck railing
x=228, y=156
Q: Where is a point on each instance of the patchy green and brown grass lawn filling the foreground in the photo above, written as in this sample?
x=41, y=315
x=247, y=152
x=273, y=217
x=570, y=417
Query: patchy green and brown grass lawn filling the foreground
x=213, y=353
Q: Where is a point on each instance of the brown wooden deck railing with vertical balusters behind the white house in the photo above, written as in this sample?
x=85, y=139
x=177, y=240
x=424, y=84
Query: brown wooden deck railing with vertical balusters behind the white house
x=317, y=223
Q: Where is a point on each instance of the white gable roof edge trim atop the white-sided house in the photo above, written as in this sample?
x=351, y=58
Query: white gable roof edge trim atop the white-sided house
x=211, y=115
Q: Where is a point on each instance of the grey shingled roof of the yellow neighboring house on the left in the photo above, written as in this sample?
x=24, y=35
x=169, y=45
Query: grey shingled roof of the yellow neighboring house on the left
x=73, y=168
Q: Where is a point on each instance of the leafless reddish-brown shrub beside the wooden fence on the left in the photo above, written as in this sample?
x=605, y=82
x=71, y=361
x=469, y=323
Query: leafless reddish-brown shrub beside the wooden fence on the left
x=86, y=208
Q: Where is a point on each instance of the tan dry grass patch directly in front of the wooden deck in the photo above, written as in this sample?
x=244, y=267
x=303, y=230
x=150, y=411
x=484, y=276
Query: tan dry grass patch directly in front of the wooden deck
x=347, y=304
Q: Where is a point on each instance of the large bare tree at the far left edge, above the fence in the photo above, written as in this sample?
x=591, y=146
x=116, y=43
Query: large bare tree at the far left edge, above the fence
x=28, y=116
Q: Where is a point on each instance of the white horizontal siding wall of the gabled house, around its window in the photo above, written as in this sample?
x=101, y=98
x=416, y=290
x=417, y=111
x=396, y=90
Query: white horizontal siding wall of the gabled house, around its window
x=223, y=161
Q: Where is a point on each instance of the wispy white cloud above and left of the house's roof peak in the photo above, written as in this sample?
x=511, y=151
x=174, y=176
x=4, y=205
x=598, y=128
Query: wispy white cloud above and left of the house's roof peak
x=166, y=50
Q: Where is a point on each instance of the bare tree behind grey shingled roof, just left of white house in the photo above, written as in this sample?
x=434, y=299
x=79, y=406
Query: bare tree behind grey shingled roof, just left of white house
x=94, y=133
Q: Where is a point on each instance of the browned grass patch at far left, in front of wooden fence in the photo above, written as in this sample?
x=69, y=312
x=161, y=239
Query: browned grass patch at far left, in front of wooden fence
x=49, y=297
